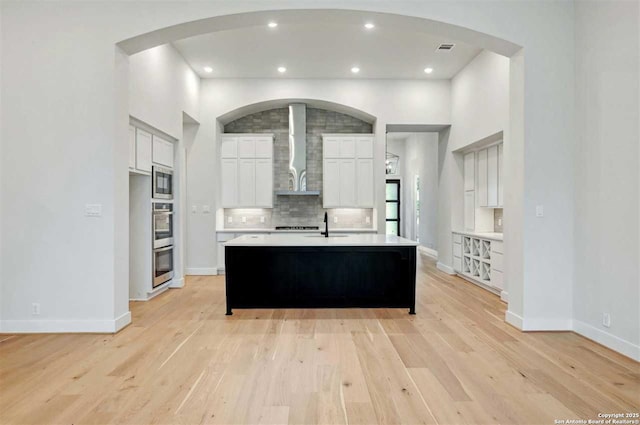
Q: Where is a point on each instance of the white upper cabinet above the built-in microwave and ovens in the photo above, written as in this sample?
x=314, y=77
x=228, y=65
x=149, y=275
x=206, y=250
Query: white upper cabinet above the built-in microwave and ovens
x=146, y=149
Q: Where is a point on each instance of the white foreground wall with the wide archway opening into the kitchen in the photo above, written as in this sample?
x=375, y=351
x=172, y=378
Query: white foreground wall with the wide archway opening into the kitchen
x=68, y=112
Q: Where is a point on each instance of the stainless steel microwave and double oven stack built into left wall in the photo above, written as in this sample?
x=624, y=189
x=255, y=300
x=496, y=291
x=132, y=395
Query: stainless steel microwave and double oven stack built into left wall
x=162, y=222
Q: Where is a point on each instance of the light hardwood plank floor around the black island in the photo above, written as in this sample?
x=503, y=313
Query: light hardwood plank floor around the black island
x=182, y=361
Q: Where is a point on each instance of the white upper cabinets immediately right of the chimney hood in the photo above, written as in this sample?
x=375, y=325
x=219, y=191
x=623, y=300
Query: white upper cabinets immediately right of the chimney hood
x=347, y=171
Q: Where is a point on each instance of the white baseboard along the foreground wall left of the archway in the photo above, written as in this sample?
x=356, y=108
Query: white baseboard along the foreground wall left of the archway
x=65, y=326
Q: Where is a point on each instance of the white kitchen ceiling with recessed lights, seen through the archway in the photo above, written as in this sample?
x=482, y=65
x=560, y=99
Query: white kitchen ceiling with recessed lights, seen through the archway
x=323, y=50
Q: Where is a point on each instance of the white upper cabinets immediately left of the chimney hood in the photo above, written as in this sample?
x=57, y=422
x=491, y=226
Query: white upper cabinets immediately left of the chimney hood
x=246, y=163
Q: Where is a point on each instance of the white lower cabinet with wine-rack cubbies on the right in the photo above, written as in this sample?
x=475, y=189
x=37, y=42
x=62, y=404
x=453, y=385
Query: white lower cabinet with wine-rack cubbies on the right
x=479, y=260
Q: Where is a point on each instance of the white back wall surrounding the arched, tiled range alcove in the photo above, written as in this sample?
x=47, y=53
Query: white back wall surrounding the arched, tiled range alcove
x=390, y=101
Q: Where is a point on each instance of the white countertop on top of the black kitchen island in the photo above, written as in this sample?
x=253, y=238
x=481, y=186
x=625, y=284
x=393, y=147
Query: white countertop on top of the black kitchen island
x=317, y=240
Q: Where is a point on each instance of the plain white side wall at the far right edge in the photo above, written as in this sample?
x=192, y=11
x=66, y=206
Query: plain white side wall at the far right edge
x=607, y=219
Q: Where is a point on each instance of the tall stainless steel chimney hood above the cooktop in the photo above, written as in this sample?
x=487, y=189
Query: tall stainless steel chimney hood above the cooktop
x=298, y=152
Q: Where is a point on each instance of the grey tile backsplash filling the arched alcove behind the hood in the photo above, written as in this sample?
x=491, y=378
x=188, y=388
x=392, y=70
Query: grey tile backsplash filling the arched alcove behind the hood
x=297, y=210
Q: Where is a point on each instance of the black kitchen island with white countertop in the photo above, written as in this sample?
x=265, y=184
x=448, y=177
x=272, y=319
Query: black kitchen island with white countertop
x=312, y=271
